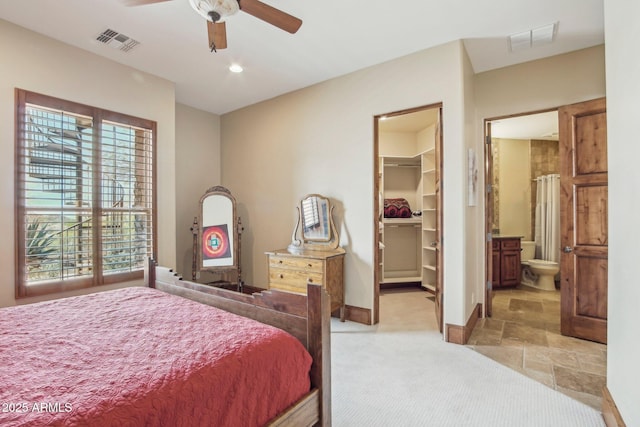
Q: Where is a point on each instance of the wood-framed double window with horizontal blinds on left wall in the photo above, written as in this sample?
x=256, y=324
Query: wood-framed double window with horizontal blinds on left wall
x=85, y=196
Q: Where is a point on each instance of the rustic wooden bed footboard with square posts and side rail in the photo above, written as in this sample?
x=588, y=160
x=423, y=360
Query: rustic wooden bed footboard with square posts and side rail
x=306, y=317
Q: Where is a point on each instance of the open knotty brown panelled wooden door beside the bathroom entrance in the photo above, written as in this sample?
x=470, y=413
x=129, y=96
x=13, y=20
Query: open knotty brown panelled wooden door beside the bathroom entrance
x=583, y=217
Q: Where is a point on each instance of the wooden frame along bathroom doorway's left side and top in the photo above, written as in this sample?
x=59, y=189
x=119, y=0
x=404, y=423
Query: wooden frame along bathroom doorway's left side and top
x=488, y=202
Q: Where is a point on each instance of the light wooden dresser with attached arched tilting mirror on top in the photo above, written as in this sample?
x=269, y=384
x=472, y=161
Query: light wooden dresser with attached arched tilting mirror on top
x=314, y=254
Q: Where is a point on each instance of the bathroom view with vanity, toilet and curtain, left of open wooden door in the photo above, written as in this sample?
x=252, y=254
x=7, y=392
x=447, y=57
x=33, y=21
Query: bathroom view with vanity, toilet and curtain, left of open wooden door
x=523, y=211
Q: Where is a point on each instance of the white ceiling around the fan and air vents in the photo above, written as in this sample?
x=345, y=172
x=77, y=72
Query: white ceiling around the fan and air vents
x=336, y=38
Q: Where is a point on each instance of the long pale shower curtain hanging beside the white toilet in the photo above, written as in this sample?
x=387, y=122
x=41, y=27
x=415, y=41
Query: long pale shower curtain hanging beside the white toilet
x=547, y=218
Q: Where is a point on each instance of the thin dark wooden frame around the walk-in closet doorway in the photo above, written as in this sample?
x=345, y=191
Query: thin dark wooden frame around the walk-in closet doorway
x=376, y=200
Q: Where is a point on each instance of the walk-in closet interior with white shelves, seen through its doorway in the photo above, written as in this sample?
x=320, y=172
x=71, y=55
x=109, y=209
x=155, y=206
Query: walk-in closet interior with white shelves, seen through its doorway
x=407, y=169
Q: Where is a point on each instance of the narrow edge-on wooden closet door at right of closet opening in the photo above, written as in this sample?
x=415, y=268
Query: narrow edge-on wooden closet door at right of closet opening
x=439, y=288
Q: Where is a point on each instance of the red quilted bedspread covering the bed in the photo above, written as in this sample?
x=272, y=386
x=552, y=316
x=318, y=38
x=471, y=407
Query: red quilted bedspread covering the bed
x=138, y=356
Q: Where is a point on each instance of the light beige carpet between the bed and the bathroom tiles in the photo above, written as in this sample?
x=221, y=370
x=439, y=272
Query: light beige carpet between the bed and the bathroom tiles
x=401, y=373
